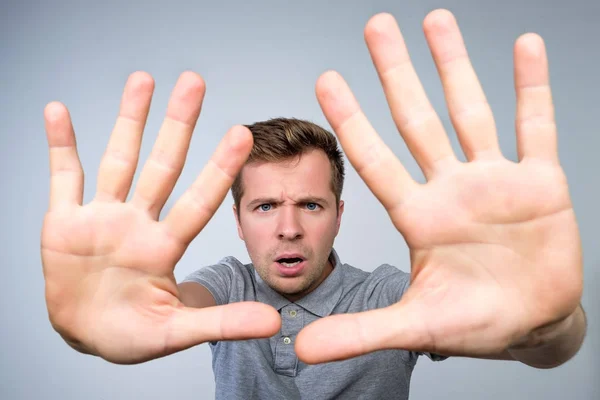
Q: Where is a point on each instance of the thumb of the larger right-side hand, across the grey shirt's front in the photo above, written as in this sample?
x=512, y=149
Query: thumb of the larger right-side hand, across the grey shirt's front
x=340, y=337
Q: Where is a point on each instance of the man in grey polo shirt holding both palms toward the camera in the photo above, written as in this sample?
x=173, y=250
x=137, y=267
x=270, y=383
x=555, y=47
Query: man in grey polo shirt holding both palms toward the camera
x=496, y=264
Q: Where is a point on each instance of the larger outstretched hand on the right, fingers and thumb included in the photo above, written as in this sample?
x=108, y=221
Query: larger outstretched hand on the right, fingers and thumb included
x=494, y=244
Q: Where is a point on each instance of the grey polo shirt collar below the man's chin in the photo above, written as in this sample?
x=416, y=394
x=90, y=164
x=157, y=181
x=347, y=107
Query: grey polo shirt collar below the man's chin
x=320, y=301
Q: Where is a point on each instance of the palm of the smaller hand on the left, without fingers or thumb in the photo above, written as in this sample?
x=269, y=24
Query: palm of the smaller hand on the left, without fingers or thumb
x=122, y=262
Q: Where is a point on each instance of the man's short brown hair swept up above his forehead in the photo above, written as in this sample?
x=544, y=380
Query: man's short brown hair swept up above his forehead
x=280, y=139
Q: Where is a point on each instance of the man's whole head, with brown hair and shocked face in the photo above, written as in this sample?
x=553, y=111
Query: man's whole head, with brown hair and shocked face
x=287, y=203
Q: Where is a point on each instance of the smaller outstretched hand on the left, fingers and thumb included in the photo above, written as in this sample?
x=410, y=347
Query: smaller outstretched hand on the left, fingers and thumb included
x=108, y=265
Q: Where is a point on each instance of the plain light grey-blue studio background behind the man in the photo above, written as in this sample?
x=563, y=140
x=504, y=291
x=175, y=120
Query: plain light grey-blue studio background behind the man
x=261, y=60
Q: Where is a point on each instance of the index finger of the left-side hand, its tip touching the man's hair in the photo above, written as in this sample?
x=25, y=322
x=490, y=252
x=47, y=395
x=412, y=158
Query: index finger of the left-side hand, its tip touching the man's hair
x=198, y=204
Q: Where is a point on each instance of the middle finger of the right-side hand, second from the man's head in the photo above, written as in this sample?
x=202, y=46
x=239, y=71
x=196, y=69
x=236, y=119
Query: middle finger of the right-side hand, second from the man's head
x=412, y=112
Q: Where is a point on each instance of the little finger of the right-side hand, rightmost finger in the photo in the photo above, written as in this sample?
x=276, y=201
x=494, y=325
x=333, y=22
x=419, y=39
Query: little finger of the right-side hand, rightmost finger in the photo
x=535, y=124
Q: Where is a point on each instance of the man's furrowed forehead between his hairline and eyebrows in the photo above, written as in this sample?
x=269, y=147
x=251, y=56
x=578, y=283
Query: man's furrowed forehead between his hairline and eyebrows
x=306, y=175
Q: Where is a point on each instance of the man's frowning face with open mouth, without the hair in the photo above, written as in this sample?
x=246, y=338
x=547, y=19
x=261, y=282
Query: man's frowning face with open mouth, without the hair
x=288, y=219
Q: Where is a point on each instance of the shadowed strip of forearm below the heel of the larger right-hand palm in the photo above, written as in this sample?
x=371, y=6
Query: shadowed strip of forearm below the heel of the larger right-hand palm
x=552, y=346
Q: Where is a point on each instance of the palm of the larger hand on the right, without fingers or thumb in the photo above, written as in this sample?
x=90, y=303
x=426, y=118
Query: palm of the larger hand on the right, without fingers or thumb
x=491, y=245
